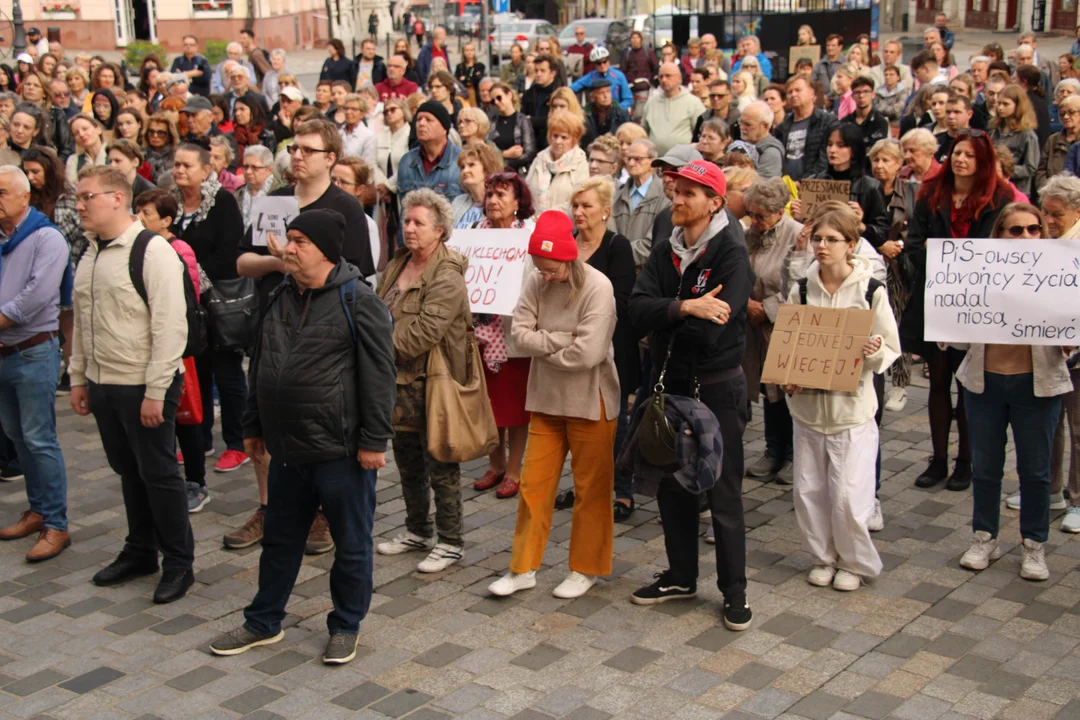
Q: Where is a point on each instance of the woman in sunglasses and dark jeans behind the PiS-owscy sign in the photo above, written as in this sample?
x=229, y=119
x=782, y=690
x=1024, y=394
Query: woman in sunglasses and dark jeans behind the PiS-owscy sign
x=1018, y=387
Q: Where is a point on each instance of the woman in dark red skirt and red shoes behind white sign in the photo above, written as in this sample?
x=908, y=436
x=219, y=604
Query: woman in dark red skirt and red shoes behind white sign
x=508, y=205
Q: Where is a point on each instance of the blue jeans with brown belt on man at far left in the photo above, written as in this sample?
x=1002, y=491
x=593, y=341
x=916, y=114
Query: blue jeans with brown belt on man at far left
x=29, y=416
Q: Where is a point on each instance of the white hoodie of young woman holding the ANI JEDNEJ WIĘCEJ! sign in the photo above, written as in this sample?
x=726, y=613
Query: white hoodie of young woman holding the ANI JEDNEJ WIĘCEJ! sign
x=834, y=412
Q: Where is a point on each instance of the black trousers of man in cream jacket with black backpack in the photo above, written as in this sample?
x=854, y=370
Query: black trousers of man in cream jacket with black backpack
x=145, y=459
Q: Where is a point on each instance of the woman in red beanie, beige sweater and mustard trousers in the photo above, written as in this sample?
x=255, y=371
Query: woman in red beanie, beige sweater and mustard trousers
x=565, y=320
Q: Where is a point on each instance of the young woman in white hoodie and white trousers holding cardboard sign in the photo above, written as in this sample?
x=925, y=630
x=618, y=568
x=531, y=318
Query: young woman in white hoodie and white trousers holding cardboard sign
x=836, y=438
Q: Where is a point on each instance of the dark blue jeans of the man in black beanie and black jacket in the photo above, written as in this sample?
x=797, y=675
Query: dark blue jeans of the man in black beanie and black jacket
x=347, y=495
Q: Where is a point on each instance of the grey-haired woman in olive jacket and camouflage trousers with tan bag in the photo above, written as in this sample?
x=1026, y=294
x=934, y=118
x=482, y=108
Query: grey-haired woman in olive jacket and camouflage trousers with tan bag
x=425, y=289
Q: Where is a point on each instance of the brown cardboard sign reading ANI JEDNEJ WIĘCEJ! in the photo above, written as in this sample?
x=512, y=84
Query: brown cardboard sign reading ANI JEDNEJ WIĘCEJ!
x=818, y=348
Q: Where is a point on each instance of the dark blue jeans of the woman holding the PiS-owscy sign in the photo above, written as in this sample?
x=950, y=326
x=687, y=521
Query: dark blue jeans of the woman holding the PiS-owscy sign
x=1009, y=401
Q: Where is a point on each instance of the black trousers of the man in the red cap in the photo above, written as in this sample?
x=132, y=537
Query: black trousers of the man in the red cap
x=679, y=509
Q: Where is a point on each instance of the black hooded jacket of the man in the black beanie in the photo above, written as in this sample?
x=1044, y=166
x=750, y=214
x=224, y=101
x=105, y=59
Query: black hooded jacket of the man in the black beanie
x=319, y=391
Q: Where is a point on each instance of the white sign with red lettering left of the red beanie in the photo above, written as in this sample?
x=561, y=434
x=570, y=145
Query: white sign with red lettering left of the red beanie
x=498, y=261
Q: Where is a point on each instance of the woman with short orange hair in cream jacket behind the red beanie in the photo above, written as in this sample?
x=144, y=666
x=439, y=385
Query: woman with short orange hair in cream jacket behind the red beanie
x=561, y=167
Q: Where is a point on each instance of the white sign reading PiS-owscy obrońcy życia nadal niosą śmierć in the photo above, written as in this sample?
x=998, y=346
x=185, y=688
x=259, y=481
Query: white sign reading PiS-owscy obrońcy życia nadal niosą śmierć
x=1020, y=292
